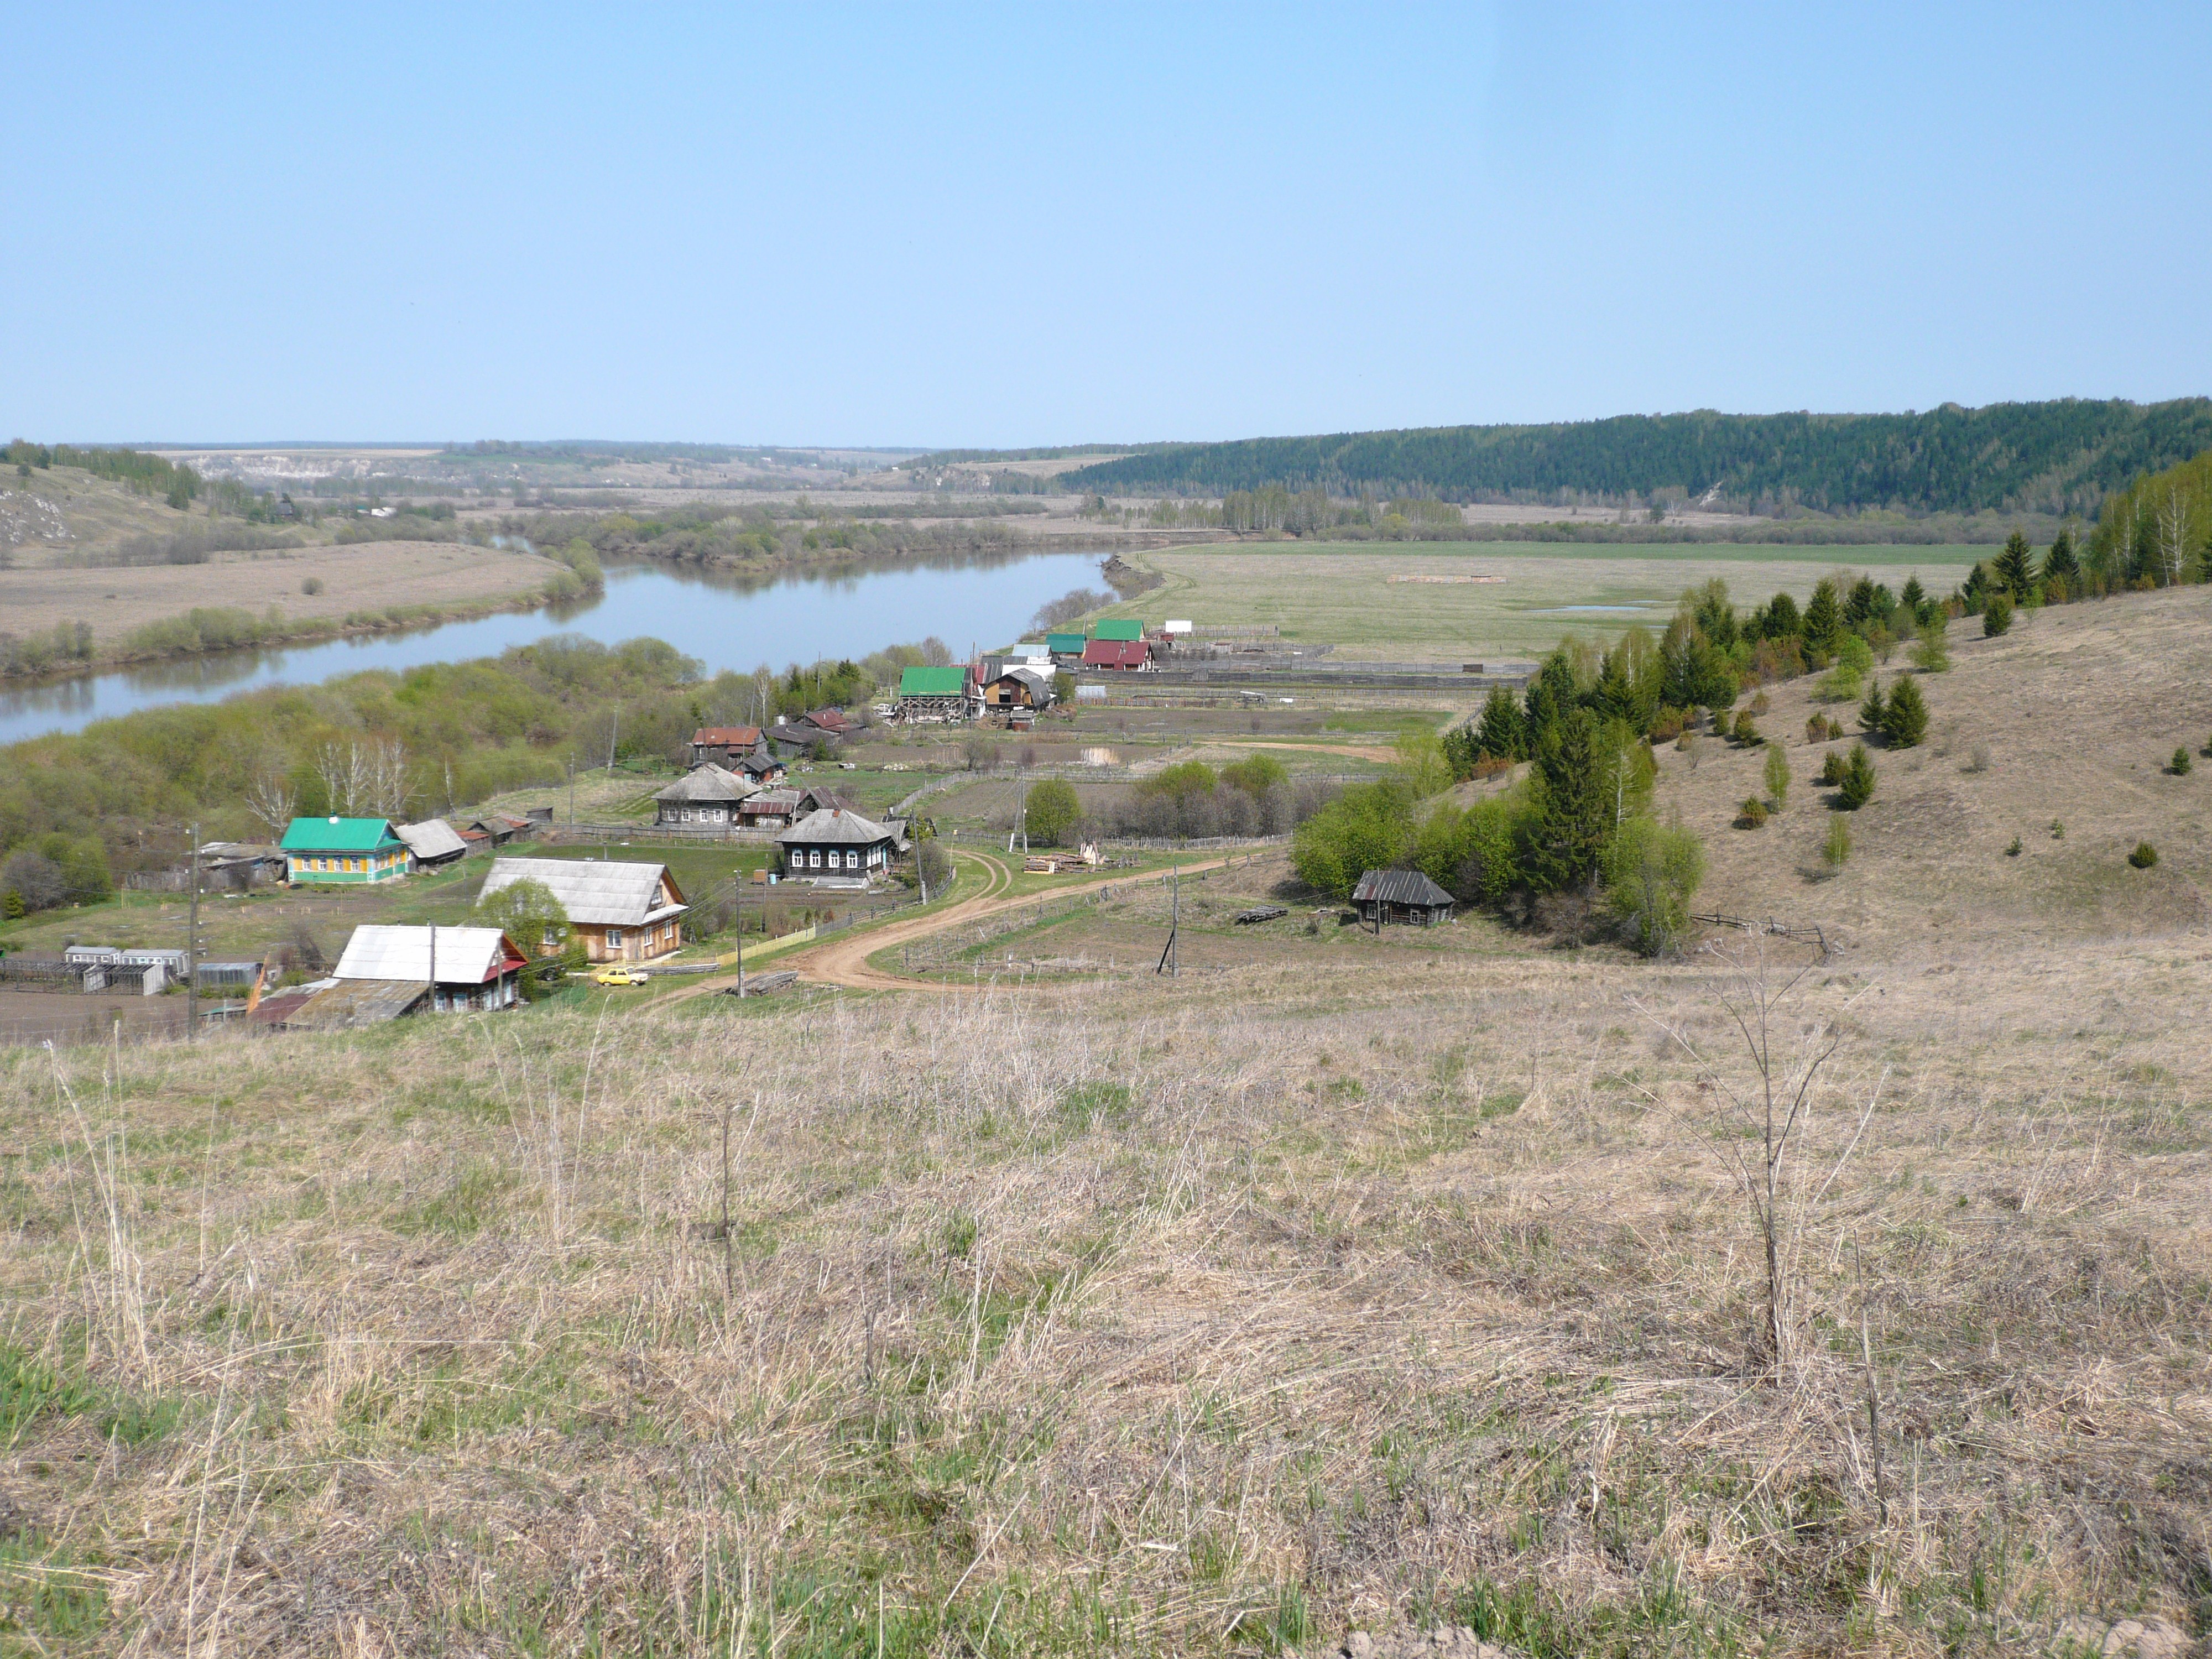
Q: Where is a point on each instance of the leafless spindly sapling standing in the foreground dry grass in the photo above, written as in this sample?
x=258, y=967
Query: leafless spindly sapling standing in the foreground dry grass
x=1768, y=1109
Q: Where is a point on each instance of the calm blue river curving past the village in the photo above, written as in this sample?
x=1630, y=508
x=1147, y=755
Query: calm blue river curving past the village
x=718, y=618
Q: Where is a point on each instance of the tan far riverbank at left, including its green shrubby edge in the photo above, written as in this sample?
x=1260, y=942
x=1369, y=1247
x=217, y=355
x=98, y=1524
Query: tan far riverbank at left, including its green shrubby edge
x=79, y=620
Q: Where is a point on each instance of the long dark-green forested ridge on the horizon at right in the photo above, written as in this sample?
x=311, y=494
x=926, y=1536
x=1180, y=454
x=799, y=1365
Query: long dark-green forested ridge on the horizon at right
x=2010, y=457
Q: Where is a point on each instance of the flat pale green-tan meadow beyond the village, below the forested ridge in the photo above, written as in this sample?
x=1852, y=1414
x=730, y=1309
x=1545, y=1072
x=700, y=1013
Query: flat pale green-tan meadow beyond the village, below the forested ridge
x=1342, y=594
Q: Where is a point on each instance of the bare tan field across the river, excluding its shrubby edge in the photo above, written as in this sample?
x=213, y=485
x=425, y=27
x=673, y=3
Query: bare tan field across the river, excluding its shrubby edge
x=364, y=576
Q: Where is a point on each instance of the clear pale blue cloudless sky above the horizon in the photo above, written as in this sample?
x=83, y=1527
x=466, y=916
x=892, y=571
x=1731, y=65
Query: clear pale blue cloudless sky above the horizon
x=1056, y=225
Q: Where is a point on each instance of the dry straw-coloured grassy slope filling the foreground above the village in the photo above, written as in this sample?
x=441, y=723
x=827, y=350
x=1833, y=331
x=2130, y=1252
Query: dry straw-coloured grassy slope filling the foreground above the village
x=1204, y=1317
